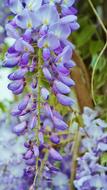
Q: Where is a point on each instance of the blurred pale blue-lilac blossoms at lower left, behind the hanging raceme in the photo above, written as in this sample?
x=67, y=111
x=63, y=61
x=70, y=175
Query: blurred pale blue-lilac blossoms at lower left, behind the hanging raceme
x=11, y=161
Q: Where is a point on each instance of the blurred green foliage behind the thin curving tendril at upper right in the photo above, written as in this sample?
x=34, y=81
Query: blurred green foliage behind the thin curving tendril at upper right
x=89, y=41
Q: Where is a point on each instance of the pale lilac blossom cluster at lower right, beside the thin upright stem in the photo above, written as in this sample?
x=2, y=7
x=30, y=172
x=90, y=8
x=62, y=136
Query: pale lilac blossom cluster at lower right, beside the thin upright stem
x=91, y=174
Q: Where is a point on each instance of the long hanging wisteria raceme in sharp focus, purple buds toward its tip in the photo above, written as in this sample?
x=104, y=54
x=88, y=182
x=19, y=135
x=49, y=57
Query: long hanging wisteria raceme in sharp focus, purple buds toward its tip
x=42, y=55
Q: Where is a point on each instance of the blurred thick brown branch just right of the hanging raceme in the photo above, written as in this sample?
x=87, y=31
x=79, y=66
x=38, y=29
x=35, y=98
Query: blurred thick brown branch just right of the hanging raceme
x=81, y=77
